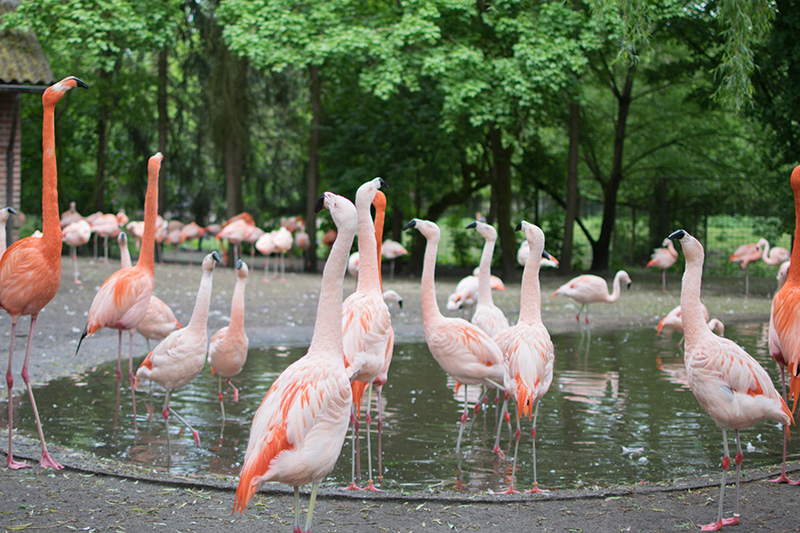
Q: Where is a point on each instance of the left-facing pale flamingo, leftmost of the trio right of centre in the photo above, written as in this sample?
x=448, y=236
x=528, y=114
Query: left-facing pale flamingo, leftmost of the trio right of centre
x=463, y=350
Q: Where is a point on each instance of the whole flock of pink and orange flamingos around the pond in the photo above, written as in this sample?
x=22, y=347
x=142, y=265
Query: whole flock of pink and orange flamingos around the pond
x=299, y=430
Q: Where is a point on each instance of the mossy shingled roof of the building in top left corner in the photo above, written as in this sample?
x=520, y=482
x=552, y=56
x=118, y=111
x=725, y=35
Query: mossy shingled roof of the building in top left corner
x=22, y=61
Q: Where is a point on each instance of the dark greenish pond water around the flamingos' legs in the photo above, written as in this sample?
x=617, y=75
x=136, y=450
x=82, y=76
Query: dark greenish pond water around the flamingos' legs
x=619, y=411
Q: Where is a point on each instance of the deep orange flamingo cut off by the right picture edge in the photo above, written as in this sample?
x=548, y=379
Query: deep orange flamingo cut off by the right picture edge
x=784, y=344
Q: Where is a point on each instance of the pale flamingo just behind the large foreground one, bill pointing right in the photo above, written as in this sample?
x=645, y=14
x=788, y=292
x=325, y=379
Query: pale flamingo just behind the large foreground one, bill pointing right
x=366, y=323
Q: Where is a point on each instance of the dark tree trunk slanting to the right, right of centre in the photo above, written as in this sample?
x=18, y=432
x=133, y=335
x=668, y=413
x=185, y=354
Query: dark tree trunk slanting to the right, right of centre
x=601, y=247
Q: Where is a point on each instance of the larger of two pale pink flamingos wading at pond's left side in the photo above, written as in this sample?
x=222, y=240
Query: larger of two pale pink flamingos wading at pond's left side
x=181, y=356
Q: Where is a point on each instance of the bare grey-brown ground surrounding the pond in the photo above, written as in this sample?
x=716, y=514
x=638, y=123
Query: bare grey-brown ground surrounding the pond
x=100, y=495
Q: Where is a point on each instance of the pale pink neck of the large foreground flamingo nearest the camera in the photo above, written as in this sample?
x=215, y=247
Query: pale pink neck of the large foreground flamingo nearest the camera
x=327, y=336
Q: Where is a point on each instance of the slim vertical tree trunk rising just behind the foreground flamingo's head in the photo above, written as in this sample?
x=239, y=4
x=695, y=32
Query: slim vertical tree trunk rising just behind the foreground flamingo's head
x=312, y=177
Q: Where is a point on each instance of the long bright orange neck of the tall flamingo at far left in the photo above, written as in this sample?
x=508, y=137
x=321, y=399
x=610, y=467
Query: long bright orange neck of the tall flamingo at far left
x=51, y=222
